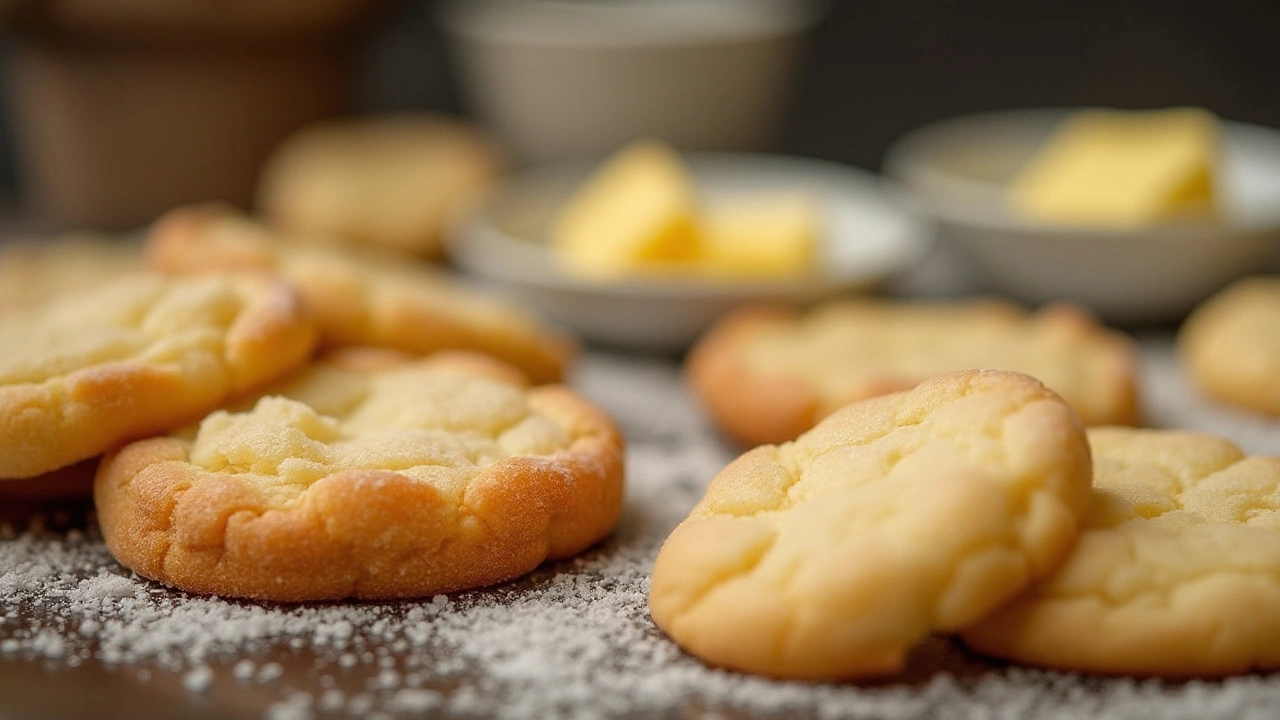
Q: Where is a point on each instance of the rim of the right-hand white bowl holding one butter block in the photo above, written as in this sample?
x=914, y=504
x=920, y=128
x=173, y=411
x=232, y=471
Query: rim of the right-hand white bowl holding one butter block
x=908, y=162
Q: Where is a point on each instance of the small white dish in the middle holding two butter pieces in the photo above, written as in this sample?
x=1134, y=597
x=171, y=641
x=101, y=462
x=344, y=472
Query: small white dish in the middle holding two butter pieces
x=868, y=238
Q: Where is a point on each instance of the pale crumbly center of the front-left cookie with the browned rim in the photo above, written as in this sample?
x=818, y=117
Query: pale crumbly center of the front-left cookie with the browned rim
x=435, y=429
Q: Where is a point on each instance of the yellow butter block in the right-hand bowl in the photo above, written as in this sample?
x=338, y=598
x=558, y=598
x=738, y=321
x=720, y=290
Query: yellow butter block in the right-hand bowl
x=1112, y=168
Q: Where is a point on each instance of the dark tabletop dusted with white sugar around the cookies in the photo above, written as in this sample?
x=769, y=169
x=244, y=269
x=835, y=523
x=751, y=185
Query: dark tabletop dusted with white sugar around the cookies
x=83, y=639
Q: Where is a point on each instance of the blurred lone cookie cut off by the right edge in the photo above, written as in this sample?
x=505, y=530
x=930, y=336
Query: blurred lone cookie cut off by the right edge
x=1231, y=345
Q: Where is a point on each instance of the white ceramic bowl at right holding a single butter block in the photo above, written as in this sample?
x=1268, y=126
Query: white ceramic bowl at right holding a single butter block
x=959, y=168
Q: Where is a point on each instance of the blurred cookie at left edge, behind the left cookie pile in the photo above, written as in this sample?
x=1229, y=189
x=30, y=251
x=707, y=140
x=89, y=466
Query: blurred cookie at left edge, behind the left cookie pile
x=33, y=272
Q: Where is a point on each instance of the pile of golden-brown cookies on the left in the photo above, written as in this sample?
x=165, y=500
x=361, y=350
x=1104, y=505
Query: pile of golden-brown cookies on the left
x=290, y=422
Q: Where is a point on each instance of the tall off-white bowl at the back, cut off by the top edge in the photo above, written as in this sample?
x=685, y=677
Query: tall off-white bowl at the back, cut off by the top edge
x=560, y=80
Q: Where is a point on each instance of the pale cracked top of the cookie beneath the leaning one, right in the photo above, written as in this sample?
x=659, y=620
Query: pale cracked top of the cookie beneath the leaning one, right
x=1169, y=513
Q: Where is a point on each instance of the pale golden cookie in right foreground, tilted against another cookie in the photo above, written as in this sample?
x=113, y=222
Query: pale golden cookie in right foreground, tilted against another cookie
x=833, y=557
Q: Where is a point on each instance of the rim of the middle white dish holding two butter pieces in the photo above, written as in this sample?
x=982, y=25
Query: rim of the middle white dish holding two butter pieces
x=479, y=233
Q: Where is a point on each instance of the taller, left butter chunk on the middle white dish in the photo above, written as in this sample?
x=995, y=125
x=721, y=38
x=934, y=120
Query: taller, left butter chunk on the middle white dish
x=636, y=215
